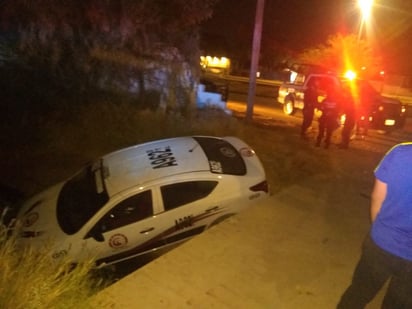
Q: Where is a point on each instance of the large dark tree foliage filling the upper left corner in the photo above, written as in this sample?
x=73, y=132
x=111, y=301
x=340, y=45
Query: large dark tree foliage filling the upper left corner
x=92, y=44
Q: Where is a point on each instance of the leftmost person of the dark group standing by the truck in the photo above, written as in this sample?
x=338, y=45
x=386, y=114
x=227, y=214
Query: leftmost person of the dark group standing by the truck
x=310, y=102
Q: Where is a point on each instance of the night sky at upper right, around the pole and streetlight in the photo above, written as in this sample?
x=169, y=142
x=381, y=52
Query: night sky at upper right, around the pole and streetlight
x=294, y=25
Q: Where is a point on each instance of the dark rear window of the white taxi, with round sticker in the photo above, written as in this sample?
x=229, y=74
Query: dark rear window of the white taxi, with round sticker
x=222, y=156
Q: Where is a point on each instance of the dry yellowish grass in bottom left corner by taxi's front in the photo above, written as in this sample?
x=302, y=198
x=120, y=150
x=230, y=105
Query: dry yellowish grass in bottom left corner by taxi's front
x=30, y=279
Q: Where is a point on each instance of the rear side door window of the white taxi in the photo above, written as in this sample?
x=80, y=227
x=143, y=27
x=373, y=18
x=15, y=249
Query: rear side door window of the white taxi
x=182, y=193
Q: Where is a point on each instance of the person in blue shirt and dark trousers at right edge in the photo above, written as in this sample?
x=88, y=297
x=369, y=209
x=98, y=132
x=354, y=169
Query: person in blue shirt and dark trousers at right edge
x=387, y=250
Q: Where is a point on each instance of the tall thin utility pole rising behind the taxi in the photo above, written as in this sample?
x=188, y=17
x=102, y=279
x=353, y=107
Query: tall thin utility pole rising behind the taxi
x=257, y=34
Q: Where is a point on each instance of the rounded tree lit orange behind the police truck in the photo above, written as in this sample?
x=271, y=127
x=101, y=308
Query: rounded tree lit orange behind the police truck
x=341, y=53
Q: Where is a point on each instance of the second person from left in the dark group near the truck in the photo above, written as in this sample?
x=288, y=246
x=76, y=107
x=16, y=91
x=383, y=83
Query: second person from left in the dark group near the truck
x=328, y=121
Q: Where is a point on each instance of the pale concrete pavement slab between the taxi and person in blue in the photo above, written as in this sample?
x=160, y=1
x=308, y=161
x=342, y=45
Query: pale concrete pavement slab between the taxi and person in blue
x=293, y=251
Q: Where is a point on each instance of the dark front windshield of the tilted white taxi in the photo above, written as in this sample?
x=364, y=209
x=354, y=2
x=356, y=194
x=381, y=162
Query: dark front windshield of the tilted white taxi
x=81, y=197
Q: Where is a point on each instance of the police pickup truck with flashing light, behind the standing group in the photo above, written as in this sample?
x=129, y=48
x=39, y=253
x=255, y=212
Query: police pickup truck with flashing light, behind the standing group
x=374, y=110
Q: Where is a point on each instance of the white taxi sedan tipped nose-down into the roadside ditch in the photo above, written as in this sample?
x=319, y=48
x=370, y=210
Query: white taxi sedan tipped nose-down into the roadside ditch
x=143, y=198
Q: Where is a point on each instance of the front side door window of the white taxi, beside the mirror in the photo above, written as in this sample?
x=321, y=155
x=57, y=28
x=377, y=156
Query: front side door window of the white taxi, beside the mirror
x=130, y=210
